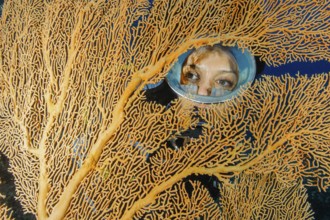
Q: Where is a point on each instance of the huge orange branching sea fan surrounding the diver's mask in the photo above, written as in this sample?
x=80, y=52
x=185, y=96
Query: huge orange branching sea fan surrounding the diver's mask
x=83, y=141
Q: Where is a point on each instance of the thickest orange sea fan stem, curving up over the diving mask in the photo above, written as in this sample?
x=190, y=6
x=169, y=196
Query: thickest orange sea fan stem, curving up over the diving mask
x=118, y=117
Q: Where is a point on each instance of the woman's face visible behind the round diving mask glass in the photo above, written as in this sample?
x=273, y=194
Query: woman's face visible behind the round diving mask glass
x=212, y=70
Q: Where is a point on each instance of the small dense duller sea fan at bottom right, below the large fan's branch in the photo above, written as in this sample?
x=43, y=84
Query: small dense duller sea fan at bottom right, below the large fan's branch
x=262, y=197
